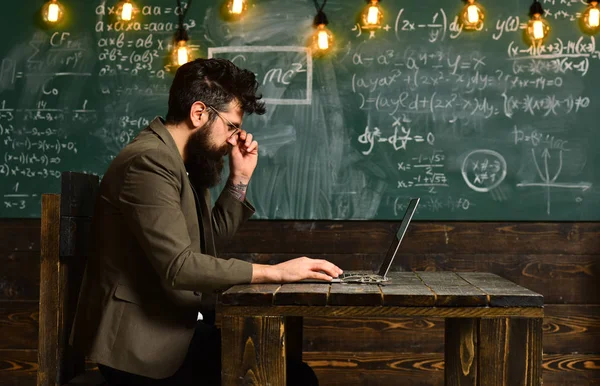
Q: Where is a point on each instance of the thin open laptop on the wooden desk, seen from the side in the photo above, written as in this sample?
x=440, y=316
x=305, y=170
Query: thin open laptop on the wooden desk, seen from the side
x=380, y=276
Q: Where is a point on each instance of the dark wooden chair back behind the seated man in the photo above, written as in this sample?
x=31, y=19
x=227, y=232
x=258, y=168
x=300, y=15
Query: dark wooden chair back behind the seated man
x=65, y=232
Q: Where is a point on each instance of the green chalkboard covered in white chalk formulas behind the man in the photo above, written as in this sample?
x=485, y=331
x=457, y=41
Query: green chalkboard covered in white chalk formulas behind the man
x=476, y=123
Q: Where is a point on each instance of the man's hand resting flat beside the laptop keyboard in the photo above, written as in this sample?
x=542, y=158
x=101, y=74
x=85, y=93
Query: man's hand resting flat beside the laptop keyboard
x=295, y=270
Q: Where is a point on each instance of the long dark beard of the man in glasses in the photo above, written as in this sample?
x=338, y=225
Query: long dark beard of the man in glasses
x=204, y=161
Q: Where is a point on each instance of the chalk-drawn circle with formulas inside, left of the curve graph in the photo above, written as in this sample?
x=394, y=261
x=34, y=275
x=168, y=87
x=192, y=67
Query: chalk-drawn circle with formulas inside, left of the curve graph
x=483, y=170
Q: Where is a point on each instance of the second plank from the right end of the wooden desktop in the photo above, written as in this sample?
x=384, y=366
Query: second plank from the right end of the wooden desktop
x=452, y=290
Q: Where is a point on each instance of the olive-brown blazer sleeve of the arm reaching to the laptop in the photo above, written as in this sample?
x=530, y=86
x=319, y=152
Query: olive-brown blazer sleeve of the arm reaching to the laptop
x=151, y=204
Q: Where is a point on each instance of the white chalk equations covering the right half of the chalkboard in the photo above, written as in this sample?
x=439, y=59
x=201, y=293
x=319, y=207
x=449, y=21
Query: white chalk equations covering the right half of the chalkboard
x=459, y=91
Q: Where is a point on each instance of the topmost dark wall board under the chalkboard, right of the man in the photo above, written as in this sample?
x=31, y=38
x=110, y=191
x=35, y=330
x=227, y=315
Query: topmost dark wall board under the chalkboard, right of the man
x=328, y=237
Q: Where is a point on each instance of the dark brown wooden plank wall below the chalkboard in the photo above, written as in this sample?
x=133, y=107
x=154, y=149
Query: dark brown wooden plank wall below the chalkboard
x=559, y=260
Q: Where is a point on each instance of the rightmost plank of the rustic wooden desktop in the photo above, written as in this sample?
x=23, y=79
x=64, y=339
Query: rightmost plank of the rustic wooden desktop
x=502, y=292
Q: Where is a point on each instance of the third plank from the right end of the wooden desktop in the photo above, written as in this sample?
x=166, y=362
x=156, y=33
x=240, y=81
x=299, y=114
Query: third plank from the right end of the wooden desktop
x=405, y=289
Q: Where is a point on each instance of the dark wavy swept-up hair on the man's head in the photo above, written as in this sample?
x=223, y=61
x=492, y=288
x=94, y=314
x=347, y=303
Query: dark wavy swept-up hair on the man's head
x=216, y=82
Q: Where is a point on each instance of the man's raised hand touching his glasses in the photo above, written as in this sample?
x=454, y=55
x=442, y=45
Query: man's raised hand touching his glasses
x=243, y=157
